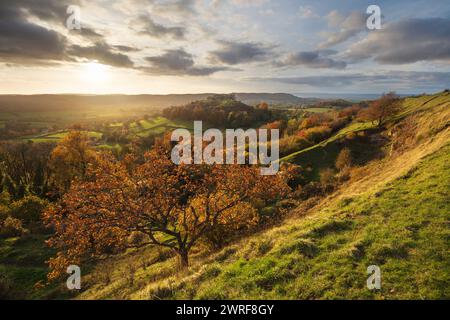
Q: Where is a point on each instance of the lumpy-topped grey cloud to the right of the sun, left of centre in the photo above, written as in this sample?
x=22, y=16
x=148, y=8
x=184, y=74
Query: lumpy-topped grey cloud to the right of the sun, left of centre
x=178, y=62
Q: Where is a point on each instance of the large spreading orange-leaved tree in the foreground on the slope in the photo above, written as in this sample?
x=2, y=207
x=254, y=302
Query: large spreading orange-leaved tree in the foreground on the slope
x=171, y=205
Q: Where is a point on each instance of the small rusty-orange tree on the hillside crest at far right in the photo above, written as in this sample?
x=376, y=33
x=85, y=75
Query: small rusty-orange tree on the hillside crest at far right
x=381, y=109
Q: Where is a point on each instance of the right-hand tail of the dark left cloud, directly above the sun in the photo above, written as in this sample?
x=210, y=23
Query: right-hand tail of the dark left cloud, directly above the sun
x=103, y=53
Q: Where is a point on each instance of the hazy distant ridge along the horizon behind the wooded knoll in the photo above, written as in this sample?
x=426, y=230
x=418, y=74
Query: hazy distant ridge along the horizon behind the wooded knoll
x=61, y=102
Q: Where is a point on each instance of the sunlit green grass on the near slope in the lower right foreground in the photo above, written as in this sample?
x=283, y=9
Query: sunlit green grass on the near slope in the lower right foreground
x=403, y=228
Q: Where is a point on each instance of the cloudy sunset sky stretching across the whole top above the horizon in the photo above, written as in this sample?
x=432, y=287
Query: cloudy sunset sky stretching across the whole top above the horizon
x=198, y=46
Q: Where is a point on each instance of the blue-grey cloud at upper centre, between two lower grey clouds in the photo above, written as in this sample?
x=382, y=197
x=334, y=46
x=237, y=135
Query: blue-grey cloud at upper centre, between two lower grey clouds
x=233, y=53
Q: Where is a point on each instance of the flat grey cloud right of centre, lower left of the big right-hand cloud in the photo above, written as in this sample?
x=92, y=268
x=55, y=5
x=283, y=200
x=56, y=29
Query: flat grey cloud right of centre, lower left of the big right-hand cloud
x=312, y=59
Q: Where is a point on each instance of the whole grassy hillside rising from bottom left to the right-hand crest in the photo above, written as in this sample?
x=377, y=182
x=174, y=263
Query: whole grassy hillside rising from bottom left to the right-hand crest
x=393, y=213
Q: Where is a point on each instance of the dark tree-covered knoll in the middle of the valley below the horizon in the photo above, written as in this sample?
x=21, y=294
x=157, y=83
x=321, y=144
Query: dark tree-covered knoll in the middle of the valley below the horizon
x=222, y=111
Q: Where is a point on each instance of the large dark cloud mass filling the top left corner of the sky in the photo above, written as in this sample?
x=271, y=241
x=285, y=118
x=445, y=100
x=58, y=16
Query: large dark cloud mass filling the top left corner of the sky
x=27, y=43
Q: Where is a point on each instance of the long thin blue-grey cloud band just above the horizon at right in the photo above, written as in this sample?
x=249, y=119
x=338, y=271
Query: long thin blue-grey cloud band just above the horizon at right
x=390, y=79
